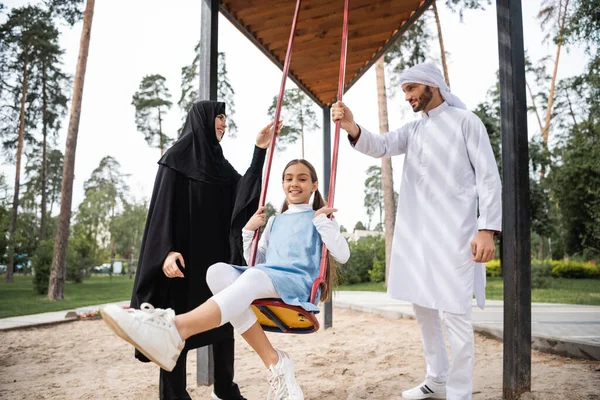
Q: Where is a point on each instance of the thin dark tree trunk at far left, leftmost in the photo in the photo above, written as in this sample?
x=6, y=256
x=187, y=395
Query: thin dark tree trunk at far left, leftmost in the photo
x=13, y=222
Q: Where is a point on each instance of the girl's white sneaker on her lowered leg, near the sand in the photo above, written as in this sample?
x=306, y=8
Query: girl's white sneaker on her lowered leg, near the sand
x=282, y=381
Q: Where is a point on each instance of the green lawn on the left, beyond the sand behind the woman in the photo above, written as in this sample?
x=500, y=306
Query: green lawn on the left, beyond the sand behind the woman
x=18, y=298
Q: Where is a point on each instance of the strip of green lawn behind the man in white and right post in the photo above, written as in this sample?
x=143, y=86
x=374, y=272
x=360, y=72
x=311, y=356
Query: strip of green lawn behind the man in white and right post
x=561, y=290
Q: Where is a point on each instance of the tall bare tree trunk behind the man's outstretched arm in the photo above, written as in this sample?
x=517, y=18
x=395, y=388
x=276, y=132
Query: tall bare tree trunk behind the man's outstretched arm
x=387, y=175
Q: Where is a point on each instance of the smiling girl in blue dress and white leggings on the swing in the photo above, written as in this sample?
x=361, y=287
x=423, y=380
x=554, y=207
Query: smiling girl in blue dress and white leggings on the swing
x=288, y=260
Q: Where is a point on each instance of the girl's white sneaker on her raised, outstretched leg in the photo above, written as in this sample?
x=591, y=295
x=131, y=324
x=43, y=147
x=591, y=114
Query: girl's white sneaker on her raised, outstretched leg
x=152, y=331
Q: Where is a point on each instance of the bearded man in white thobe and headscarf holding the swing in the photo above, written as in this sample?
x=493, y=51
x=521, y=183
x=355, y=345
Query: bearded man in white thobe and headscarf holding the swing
x=440, y=243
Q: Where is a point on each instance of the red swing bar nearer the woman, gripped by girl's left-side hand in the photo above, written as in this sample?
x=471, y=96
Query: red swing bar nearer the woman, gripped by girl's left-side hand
x=286, y=69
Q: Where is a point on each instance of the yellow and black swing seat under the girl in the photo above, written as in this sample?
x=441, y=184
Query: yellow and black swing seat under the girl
x=274, y=315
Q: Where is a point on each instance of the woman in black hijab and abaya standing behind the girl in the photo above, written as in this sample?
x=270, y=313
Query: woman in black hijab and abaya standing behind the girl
x=198, y=208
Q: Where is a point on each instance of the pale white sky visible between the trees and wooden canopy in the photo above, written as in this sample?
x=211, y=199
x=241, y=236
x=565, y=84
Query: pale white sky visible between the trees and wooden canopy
x=134, y=38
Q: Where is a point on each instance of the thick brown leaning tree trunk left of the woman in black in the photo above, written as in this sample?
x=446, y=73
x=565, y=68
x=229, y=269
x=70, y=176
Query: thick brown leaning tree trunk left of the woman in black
x=57, y=282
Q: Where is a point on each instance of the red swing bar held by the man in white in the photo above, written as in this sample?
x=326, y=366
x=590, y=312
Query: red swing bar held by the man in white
x=321, y=280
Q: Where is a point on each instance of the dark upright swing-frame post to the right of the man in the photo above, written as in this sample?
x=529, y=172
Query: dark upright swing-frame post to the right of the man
x=516, y=243
